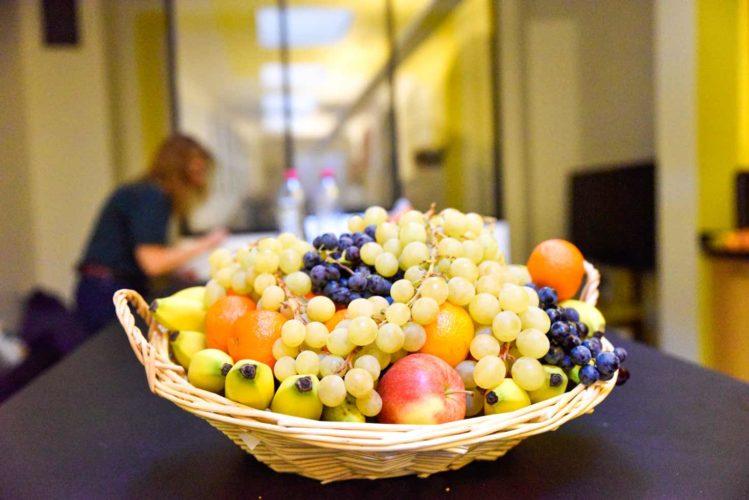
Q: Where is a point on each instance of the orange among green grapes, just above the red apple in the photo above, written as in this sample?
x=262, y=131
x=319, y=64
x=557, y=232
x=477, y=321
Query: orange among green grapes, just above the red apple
x=449, y=337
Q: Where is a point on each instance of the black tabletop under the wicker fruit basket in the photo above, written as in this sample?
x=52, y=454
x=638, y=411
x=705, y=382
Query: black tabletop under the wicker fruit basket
x=89, y=427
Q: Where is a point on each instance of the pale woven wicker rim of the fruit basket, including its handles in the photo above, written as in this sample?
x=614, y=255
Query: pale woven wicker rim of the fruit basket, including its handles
x=168, y=380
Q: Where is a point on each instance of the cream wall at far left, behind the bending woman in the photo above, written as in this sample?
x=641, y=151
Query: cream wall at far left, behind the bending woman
x=57, y=159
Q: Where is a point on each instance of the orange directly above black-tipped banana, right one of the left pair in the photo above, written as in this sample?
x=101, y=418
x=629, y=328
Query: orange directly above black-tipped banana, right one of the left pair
x=253, y=336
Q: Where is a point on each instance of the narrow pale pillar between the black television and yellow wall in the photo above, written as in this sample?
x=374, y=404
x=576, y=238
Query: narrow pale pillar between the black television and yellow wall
x=676, y=143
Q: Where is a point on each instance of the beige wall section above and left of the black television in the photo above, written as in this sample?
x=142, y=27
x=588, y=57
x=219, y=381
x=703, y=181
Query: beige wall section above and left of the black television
x=578, y=81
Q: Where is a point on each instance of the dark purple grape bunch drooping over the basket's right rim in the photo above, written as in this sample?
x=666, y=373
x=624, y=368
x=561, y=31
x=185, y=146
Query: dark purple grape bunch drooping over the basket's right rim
x=577, y=350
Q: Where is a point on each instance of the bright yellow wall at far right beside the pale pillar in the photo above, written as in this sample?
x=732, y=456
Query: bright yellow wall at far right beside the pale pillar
x=722, y=142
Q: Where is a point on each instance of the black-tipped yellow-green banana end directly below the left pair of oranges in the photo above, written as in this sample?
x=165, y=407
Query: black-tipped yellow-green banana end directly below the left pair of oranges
x=251, y=383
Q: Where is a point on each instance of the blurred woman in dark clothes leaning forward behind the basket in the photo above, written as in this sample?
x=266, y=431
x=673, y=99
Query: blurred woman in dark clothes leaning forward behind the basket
x=130, y=243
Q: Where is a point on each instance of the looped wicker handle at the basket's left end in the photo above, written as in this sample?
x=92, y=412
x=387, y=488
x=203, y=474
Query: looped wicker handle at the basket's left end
x=144, y=350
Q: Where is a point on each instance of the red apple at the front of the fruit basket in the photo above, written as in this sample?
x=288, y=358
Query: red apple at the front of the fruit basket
x=421, y=389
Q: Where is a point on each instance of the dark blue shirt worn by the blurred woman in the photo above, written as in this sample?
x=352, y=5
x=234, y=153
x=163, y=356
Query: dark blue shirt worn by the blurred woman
x=135, y=214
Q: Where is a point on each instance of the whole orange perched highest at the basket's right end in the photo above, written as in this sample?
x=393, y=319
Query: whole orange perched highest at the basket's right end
x=558, y=264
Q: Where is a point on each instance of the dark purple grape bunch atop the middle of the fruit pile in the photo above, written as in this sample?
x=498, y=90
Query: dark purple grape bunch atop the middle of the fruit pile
x=336, y=270
